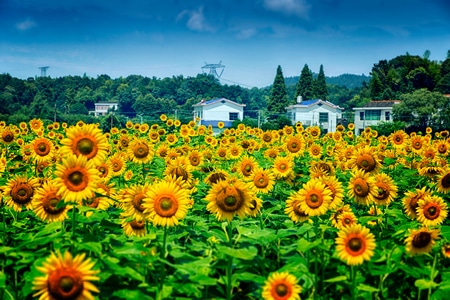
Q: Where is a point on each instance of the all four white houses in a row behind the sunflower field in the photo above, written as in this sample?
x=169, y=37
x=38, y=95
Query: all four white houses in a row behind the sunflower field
x=315, y=112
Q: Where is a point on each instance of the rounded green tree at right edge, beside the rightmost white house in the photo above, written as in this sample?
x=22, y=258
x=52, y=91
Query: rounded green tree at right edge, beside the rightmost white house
x=422, y=108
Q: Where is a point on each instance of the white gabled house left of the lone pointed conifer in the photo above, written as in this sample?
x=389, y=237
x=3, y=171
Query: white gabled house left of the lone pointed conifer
x=218, y=110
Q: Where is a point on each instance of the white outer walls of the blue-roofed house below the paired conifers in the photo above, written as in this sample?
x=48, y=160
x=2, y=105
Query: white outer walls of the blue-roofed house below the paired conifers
x=309, y=116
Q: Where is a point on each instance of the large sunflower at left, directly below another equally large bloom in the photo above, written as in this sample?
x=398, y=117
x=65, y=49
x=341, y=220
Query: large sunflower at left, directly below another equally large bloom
x=76, y=178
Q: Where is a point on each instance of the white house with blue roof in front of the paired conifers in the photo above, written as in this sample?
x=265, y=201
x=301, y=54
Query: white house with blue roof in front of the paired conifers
x=315, y=112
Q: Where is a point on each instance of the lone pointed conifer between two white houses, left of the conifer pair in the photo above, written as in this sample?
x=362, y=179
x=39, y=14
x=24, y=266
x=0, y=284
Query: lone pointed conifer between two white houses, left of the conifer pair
x=278, y=98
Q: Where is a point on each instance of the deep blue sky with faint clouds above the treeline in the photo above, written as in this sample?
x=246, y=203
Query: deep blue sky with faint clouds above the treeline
x=251, y=38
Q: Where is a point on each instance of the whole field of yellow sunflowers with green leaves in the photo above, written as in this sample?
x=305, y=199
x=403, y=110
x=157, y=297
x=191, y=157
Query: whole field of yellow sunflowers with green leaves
x=174, y=211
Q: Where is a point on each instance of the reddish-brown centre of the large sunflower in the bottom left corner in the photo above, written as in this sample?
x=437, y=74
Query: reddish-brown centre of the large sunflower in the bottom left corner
x=65, y=284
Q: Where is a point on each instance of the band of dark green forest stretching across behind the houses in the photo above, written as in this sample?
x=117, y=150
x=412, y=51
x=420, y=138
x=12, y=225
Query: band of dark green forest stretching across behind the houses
x=71, y=98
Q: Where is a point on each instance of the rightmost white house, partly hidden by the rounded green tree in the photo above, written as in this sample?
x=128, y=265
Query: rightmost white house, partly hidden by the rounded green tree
x=372, y=113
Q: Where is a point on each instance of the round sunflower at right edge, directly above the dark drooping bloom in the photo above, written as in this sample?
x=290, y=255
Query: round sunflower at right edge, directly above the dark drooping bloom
x=431, y=210
